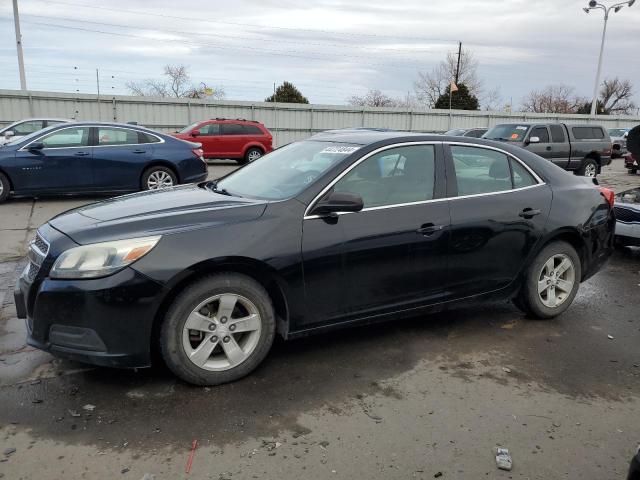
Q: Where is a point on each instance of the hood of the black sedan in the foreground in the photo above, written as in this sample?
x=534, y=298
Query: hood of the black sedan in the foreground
x=155, y=212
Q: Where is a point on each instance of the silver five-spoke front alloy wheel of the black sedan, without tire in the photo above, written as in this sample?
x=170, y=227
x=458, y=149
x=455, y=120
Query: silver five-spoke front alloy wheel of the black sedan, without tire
x=221, y=332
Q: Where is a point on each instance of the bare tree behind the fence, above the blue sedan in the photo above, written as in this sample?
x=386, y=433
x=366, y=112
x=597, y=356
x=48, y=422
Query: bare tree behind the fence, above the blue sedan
x=177, y=83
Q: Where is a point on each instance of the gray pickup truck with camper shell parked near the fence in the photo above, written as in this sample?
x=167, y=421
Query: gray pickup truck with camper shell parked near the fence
x=583, y=149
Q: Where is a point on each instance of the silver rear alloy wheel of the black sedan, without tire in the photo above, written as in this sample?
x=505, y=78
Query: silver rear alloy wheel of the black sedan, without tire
x=556, y=280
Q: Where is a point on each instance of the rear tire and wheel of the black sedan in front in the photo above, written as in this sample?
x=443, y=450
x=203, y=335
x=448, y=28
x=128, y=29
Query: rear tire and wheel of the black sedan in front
x=540, y=305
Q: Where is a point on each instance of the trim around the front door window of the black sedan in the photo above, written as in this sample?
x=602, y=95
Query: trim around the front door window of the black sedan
x=438, y=174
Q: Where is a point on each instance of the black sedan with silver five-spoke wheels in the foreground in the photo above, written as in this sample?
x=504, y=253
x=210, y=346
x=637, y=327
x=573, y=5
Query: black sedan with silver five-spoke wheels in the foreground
x=346, y=228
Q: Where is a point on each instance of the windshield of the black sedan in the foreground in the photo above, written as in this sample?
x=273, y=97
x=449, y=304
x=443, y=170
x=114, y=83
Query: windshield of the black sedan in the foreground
x=285, y=172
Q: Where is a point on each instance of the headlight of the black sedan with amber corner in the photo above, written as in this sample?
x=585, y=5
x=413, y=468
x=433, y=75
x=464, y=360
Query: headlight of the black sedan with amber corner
x=101, y=259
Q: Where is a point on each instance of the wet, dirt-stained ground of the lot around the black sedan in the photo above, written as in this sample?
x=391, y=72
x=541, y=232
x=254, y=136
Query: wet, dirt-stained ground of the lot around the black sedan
x=409, y=399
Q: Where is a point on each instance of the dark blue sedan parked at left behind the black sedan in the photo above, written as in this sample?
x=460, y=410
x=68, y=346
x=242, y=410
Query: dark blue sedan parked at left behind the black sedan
x=89, y=157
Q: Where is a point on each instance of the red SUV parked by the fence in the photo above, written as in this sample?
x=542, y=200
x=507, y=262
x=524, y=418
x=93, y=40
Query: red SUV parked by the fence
x=241, y=140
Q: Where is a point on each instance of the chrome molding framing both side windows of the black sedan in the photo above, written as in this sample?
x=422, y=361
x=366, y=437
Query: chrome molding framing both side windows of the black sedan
x=539, y=181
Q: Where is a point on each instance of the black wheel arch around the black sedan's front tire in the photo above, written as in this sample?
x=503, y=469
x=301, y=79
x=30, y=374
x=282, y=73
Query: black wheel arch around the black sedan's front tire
x=257, y=271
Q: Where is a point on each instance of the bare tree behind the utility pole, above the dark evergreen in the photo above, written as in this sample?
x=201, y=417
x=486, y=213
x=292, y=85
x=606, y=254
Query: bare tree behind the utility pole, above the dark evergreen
x=431, y=85
